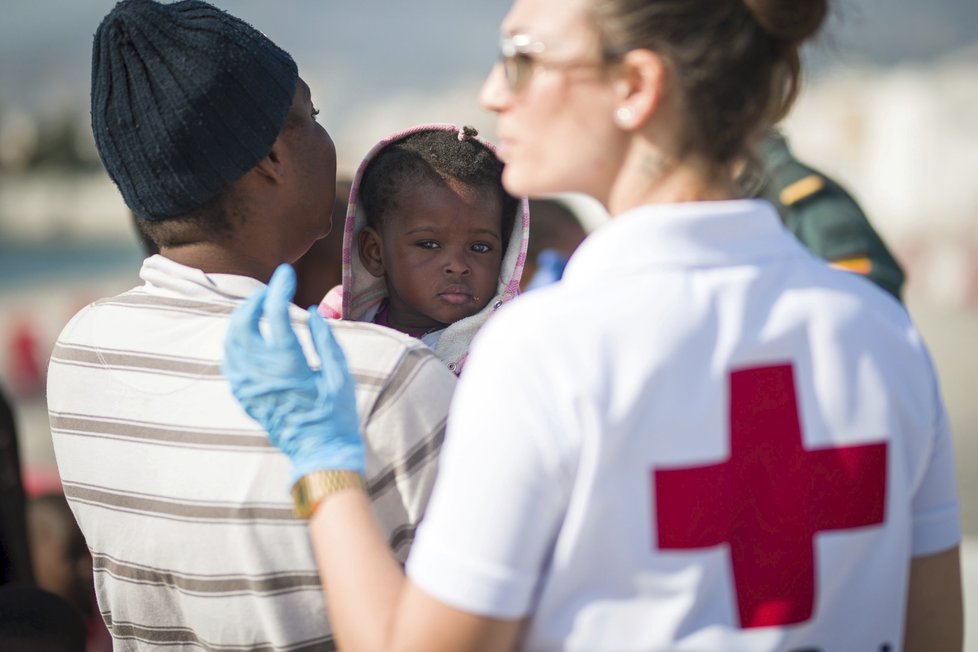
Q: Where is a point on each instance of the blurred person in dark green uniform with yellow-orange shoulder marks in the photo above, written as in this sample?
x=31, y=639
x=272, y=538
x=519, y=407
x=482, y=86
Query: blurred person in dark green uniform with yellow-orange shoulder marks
x=823, y=216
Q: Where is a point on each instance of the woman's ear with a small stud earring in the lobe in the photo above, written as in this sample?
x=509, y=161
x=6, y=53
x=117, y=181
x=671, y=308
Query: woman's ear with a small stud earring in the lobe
x=640, y=88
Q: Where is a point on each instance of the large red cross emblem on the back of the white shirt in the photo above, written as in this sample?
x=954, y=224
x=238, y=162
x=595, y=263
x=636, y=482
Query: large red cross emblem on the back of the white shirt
x=767, y=501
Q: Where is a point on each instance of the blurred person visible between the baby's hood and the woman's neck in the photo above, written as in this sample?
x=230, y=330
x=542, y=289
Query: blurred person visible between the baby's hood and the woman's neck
x=555, y=232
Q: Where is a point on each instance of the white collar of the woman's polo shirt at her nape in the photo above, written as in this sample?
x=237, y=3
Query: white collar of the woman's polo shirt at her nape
x=683, y=235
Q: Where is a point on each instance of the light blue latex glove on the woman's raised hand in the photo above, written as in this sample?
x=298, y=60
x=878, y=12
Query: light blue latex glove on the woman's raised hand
x=310, y=415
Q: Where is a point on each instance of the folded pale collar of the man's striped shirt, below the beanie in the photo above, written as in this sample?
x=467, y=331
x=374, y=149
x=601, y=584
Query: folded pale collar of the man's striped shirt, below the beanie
x=191, y=282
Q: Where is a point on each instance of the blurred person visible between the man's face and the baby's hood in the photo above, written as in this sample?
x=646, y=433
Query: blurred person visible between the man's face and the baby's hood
x=321, y=268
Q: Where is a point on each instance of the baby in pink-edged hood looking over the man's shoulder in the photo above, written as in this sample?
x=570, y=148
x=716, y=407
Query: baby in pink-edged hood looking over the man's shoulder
x=432, y=242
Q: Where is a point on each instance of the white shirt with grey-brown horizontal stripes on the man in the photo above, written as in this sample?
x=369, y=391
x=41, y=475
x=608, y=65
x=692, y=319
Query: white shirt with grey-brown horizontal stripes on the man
x=182, y=500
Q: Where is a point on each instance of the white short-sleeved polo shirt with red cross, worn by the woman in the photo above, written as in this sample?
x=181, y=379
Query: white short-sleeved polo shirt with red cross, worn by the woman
x=703, y=438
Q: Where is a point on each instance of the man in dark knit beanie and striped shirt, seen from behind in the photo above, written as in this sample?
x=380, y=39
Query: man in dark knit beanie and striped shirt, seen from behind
x=211, y=137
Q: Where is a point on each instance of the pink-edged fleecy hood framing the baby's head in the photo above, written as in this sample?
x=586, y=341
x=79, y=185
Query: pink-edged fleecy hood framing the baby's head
x=362, y=291
